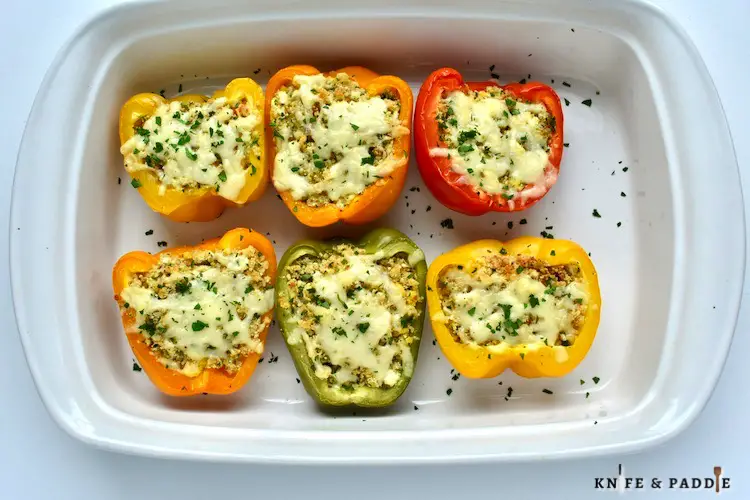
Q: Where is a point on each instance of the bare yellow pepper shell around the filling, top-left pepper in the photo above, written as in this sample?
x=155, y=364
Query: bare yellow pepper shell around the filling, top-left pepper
x=196, y=204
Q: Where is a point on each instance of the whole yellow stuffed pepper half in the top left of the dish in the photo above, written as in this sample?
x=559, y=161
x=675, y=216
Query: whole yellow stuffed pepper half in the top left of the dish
x=193, y=156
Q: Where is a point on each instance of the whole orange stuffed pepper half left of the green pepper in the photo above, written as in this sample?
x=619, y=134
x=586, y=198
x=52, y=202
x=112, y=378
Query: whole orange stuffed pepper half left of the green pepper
x=197, y=317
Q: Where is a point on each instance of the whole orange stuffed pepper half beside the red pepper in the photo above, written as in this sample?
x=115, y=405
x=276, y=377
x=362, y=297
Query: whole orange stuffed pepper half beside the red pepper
x=338, y=142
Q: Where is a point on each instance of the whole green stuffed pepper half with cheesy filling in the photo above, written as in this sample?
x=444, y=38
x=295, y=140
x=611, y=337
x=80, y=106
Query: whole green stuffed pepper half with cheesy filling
x=351, y=313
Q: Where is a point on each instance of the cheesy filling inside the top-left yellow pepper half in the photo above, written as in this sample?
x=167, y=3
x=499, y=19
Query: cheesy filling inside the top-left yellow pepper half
x=192, y=145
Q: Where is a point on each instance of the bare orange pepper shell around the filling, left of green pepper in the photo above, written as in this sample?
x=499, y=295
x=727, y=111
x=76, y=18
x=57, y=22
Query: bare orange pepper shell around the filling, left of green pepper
x=210, y=380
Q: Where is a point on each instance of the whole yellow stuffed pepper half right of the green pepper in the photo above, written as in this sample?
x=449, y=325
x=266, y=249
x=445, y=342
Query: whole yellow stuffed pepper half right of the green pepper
x=530, y=304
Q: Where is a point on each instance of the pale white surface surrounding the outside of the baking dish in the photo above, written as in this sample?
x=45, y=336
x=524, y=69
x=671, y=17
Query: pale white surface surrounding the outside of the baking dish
x=37, y=460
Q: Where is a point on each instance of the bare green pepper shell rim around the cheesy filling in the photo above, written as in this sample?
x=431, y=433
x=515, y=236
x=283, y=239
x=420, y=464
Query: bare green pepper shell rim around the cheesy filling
x=390, y=241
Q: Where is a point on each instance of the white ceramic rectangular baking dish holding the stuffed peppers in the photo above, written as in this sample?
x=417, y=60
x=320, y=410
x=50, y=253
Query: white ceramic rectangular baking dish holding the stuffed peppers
x=671, y=275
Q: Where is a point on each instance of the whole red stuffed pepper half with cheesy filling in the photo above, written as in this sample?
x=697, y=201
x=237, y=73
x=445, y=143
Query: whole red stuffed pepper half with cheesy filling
x=484, y=147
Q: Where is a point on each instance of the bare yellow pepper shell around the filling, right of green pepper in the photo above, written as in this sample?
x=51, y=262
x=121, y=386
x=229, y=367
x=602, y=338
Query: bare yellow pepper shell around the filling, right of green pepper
x=538, y=361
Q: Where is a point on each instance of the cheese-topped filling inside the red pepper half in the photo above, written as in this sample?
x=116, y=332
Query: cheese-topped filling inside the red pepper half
x=497, y=143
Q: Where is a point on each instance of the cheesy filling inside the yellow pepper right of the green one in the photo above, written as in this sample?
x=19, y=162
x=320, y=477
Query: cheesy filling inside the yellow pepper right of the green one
x=511, y=310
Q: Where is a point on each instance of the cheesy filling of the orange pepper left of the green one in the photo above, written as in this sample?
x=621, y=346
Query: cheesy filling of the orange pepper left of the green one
x=198, y=316
